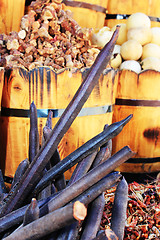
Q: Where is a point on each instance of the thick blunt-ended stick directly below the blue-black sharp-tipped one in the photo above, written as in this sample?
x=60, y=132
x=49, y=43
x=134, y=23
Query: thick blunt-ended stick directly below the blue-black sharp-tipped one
x=90, y=178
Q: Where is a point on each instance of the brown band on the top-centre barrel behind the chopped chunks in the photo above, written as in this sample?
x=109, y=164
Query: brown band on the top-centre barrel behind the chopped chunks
x=79, y=4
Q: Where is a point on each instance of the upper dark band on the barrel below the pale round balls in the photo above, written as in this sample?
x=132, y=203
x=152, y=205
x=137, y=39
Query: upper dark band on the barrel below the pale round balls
x=137, y=102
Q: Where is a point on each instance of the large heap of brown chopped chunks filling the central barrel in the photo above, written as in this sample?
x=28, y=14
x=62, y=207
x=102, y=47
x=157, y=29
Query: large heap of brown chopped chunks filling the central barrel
x=49, y=36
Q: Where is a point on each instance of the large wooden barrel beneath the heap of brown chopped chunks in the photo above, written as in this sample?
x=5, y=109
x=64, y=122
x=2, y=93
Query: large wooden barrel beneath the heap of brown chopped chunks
x=50, y=90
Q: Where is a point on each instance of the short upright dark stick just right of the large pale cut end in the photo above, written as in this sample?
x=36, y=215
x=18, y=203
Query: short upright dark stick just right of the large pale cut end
x=92, y=222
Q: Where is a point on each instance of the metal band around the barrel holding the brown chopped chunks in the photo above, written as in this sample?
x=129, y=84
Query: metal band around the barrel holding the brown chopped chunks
x=43, y=113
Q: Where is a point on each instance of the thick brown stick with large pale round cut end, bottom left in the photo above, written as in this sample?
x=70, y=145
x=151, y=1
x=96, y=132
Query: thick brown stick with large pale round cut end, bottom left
x=51, y=222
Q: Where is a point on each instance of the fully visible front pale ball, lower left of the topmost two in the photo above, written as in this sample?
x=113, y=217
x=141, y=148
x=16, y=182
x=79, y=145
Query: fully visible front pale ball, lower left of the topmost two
x=131, y=50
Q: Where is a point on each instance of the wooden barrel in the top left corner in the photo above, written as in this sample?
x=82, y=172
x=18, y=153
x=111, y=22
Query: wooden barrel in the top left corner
x=11, y=12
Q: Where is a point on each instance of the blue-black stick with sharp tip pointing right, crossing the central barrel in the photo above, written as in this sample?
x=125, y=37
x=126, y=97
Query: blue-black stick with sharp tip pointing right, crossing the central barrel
x=83, y=151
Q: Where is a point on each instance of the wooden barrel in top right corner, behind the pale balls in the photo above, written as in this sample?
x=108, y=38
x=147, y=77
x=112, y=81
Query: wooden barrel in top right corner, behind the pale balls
x=118, y=11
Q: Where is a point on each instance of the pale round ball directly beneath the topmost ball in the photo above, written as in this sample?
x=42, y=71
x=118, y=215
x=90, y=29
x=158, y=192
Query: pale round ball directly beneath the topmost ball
x=141, y=34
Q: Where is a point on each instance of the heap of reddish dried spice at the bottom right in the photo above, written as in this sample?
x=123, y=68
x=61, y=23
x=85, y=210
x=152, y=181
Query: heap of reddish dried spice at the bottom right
x=143, y=211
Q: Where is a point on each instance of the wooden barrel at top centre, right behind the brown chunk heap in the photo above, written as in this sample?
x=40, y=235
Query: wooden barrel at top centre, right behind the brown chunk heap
x=90, y=14
